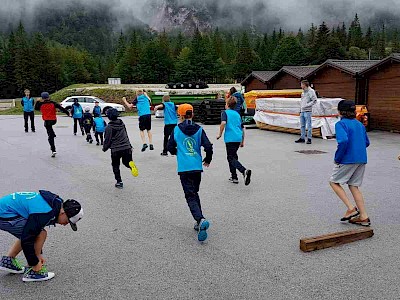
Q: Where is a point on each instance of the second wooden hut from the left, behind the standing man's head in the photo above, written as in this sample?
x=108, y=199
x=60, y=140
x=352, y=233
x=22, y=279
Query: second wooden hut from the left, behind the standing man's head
x=289, y=77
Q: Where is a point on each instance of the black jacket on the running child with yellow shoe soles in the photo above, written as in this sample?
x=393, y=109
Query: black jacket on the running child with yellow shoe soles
x=116, y=137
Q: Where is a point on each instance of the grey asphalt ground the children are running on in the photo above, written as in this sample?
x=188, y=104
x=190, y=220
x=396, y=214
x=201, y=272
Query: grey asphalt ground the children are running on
x=139, y=242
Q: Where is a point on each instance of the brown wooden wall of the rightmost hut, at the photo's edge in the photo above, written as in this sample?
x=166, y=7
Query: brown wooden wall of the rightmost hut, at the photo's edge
x=384, y=98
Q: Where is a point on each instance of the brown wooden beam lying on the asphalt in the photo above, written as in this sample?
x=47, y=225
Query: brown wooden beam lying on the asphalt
x=334, y=239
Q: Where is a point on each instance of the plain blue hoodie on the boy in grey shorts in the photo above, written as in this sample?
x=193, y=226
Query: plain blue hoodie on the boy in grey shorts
x=352, y=141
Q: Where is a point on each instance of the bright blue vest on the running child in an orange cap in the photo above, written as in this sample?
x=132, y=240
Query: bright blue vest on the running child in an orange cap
x=188, y=151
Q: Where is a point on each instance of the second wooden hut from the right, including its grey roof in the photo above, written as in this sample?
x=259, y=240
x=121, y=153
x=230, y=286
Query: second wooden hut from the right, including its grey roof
x=341, y=79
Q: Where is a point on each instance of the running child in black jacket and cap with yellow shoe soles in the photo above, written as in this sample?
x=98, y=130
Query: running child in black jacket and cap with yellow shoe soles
x=116, y=139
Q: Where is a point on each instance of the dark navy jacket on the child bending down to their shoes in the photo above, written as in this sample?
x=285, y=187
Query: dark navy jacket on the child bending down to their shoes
x=36, y=223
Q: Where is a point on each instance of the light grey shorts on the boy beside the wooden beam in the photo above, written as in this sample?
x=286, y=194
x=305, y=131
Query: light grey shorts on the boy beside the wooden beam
x=348, y=174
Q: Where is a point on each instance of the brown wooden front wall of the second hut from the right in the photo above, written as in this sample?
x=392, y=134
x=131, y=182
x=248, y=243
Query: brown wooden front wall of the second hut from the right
x=333, y=83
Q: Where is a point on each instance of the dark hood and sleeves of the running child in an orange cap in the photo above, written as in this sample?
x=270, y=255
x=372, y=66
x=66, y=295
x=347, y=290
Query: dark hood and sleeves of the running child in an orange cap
x=189, y=128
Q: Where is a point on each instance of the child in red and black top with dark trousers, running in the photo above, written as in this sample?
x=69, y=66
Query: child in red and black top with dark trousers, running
x=49, y=116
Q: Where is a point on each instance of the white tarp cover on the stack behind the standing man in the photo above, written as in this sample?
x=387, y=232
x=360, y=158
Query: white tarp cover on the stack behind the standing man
x=285, y=112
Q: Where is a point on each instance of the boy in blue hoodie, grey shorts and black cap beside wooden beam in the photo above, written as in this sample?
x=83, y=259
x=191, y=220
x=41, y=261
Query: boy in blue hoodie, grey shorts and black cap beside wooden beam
x=350, y=160
